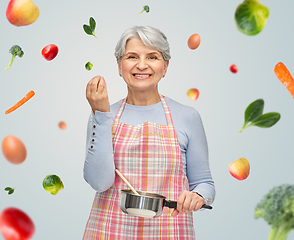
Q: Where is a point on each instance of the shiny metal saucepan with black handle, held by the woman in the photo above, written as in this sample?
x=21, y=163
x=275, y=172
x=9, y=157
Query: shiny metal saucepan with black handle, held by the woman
x=148, y=205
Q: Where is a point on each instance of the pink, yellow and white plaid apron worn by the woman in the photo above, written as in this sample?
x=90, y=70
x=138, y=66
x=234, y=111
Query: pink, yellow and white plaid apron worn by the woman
x=149, y=157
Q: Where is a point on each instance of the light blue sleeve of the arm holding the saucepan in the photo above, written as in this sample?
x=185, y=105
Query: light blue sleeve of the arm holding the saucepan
x=198, y=171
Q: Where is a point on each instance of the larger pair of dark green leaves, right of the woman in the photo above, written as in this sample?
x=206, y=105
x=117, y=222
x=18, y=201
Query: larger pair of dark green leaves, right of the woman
x=253, y=114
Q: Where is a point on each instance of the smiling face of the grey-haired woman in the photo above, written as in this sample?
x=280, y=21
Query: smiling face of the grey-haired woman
x=141, y=67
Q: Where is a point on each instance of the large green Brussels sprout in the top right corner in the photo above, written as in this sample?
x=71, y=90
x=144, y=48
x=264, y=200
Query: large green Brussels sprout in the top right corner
x=251, y=17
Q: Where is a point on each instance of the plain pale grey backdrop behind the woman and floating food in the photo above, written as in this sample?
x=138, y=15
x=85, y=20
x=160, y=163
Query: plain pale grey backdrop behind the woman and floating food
x=60, y=96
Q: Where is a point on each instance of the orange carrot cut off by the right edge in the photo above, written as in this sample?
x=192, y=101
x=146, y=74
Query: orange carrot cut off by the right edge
x=285, y=77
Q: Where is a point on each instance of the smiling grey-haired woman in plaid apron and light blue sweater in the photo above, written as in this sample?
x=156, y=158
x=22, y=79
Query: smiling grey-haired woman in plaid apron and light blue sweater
x=158, y=144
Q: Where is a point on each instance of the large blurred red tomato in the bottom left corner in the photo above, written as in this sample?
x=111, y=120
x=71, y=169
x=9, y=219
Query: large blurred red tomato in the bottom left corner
x=16, y=224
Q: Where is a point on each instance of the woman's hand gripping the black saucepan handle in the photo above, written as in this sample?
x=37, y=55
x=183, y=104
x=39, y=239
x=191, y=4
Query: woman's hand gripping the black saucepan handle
x=188, y=202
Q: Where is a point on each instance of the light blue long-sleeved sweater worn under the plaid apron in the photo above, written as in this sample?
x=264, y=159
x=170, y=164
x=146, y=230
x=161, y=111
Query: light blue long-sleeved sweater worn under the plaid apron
x=99, y=169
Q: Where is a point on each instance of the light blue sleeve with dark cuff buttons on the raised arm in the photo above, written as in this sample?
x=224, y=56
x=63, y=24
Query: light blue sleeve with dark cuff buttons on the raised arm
x=99, y=169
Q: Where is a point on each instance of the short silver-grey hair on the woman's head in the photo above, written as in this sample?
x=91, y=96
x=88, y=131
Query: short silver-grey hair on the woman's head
x=151, y=37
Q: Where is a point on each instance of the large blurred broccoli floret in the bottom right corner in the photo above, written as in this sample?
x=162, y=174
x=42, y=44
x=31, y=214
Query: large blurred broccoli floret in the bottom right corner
x=277, y=208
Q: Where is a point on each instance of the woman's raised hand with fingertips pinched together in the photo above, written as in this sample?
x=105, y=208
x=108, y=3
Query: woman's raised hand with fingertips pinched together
x=96, y=94
